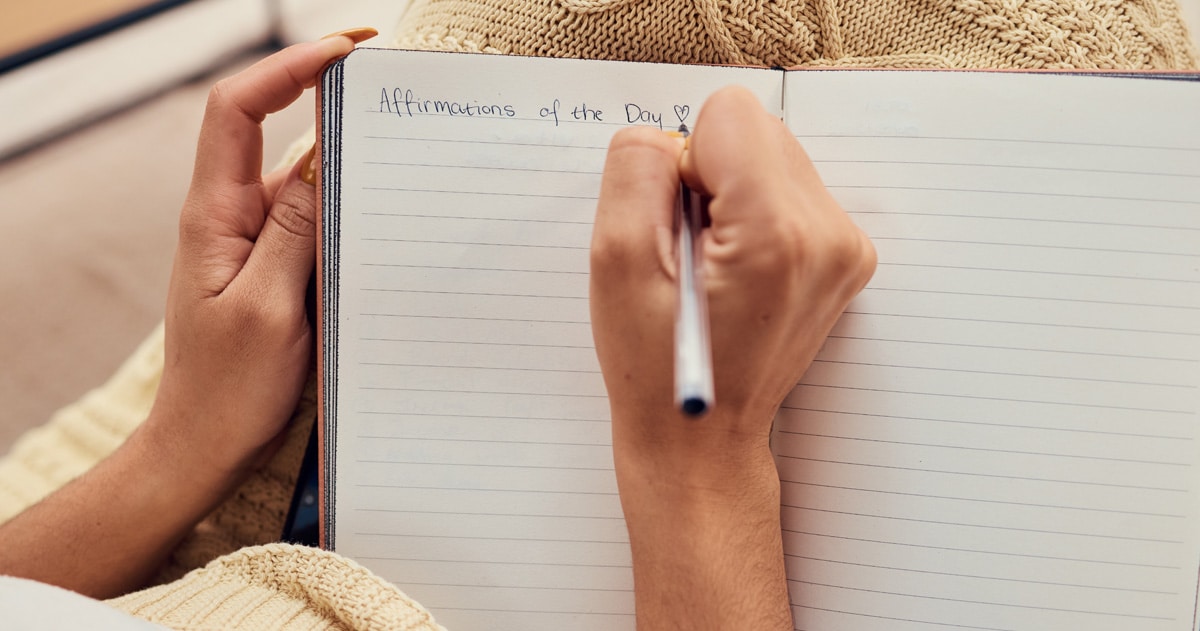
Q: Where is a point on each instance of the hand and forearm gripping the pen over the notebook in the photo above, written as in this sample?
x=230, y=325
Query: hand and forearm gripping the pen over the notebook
x=782, y=261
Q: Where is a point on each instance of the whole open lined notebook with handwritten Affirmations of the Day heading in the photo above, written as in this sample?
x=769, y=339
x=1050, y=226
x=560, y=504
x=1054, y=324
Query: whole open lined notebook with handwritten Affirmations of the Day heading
x=1000, y=434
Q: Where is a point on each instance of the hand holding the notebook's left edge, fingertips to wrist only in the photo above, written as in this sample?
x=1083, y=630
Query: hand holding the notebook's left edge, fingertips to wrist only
x=238, y=338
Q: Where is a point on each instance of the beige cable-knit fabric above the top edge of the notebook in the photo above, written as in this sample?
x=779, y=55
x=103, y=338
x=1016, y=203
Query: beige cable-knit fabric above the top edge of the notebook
x=953, y=34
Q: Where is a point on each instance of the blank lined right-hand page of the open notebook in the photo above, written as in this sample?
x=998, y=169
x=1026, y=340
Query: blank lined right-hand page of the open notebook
x=1001, y=432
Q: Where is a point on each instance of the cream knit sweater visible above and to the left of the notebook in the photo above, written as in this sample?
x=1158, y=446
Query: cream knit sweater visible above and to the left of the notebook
x=284, y=587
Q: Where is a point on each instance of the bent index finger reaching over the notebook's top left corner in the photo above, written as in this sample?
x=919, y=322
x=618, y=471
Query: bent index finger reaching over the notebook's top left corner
x=231, y=146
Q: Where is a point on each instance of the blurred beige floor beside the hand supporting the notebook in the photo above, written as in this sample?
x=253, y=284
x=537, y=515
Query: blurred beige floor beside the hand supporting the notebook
x=87, y=232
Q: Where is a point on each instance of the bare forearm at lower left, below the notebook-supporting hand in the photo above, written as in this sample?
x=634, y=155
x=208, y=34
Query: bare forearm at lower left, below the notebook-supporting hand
x=107, y=532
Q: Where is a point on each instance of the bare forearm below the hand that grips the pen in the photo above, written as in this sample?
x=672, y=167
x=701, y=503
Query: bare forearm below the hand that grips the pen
x=707, y=544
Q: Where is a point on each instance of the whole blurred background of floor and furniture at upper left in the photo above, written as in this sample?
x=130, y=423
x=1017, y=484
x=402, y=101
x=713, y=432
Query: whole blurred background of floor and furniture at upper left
x=100, y=109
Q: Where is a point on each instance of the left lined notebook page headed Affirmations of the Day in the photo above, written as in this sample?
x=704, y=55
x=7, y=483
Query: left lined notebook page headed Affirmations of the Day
x=473, y=449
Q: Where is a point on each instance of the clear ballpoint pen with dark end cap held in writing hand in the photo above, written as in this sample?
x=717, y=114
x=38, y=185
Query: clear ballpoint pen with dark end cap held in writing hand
x=694, y=357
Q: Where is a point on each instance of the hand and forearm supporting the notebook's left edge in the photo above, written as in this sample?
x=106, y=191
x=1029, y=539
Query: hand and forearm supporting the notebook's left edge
x=237, y=353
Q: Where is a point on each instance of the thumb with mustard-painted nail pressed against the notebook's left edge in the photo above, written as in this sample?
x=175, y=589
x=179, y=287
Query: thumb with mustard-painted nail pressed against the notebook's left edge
x=285, y=253
